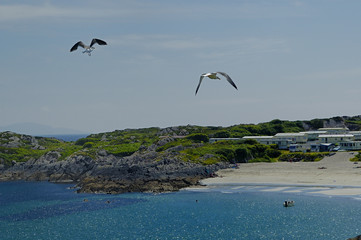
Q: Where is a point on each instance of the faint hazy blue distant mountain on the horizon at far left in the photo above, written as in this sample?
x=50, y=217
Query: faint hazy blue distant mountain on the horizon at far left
x=35, y=129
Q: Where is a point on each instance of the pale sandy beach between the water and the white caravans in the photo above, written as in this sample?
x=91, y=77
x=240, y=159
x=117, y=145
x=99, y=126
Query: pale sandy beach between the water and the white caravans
x=333, y=175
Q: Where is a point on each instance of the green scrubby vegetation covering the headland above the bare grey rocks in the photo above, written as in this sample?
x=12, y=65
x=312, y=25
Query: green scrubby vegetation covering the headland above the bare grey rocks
x=191, y=143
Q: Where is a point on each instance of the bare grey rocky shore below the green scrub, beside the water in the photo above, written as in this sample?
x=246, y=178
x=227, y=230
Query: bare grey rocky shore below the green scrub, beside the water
x=144, y=171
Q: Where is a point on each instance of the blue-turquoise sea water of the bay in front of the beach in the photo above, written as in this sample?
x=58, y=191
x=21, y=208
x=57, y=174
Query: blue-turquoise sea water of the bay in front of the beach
x=41, y=210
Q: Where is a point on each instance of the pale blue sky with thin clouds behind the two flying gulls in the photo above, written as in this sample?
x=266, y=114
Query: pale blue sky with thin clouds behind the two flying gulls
x=290, y=59
